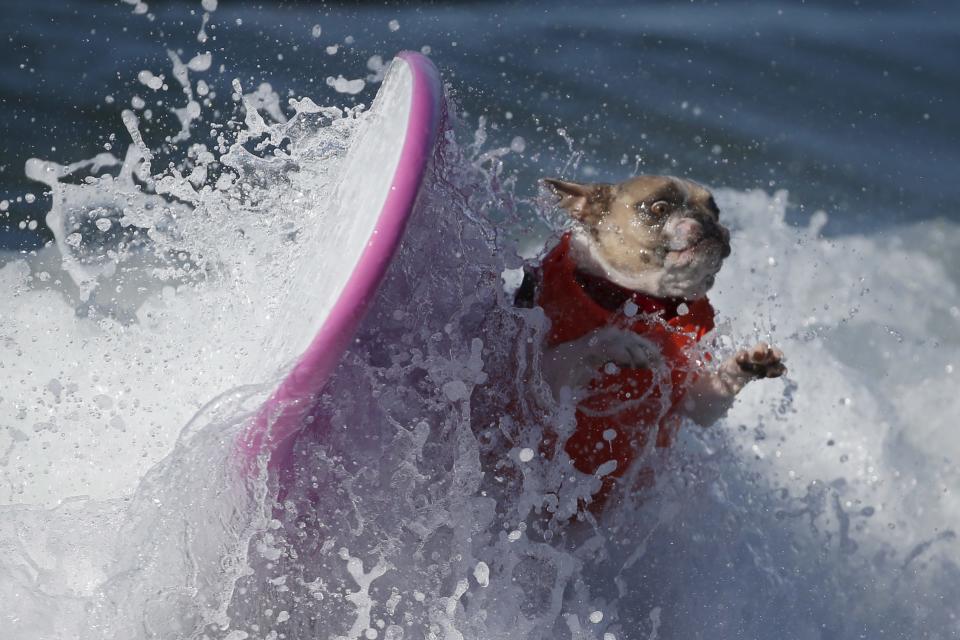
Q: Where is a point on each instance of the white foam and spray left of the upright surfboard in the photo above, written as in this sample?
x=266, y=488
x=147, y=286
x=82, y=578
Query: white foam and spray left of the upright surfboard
x=156, y=300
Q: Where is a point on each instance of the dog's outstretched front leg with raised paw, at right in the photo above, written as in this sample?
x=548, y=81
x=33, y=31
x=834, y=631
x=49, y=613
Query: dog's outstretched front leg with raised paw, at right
x=712, y=395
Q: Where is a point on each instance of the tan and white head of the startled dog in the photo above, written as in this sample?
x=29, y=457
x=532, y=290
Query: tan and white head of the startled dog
x=656, y=234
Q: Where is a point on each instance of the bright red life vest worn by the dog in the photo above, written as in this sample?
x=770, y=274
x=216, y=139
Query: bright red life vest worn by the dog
x=622, y=409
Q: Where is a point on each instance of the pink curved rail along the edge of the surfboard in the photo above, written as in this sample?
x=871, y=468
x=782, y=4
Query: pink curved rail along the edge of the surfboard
x=274, y=428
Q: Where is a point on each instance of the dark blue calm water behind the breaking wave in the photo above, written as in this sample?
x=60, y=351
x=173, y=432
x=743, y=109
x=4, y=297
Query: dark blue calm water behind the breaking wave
x=851, y=106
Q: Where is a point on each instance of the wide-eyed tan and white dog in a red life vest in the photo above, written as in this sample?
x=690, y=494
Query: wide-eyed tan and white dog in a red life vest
x=625, y=291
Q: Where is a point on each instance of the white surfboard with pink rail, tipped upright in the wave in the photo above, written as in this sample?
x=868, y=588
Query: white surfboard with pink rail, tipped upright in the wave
x=377, y=192
